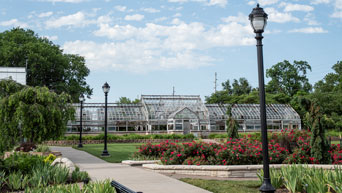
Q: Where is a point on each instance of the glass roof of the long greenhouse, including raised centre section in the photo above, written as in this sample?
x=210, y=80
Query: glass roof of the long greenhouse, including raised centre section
x=165, y=107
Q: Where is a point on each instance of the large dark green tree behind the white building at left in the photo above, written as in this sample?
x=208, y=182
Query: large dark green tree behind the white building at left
x=47, y=65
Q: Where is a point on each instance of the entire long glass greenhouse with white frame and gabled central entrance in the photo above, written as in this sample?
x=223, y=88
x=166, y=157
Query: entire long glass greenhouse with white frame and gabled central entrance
x=179, y=114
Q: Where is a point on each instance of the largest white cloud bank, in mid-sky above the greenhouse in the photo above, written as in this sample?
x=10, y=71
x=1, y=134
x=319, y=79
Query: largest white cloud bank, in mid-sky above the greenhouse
x=159, y=47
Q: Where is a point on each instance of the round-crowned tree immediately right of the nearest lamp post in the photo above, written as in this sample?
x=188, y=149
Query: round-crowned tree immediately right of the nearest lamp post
x=288, y=78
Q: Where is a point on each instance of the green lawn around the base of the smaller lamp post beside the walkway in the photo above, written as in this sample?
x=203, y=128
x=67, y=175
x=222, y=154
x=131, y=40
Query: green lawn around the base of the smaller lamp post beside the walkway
x=118, y=151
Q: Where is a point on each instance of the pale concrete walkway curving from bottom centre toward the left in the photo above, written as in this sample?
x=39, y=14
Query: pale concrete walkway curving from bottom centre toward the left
x=136, y=179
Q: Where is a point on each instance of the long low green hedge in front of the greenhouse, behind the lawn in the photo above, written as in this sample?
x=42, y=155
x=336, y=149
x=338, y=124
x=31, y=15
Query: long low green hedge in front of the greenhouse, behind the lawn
x=129, y=137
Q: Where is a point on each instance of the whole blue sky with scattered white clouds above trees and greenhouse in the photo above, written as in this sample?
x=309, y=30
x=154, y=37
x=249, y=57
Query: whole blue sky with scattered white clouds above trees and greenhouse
x=147, y=47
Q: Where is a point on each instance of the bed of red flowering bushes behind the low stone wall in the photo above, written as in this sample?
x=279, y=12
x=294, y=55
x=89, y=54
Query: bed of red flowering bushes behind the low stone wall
x=286, y=147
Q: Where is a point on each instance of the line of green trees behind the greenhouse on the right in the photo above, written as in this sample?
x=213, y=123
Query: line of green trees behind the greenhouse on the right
x=289, y=85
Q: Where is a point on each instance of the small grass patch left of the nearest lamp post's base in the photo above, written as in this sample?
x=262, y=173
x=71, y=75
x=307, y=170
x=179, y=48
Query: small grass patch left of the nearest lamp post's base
x=218, y=186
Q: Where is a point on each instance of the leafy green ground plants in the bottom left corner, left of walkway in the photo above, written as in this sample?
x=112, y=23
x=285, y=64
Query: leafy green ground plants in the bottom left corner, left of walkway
x=21, y=171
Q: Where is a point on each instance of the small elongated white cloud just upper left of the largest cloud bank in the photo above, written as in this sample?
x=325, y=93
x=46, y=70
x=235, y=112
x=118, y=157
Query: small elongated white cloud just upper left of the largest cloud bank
x=74, y=20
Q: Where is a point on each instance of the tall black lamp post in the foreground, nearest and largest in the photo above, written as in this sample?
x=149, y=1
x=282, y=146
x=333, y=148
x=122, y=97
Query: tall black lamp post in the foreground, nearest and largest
x=258, y=20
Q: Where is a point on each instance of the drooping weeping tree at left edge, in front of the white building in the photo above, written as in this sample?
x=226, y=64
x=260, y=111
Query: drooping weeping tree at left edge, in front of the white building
x=34, y=113
